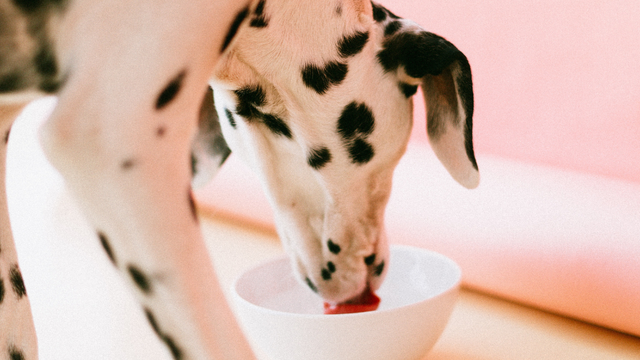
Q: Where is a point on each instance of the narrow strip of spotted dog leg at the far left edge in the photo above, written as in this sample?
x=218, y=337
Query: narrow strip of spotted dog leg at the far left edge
x=17, y=331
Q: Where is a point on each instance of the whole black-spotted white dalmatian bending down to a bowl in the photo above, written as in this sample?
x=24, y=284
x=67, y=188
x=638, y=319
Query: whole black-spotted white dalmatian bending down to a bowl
x=314, y=95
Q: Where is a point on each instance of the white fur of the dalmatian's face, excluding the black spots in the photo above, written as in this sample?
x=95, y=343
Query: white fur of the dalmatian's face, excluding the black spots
x=343, y=201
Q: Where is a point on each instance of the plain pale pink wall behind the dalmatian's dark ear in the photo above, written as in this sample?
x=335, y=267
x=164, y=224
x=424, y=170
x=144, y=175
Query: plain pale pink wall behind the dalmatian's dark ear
x=556, y=83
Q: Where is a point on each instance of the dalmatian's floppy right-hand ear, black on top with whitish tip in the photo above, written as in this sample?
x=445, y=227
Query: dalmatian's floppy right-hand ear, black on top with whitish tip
x=445, y=75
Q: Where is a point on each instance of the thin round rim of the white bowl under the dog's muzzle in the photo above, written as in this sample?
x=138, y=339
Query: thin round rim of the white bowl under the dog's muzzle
x=394, y=247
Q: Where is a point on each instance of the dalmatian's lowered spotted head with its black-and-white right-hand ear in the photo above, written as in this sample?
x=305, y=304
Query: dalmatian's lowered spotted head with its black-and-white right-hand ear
x=316, y=97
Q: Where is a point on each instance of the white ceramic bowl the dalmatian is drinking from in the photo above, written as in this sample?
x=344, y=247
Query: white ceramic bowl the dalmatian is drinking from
x=284, y=320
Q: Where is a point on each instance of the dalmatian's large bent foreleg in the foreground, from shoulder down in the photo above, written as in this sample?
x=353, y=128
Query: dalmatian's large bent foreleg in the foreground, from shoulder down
x=121, y=137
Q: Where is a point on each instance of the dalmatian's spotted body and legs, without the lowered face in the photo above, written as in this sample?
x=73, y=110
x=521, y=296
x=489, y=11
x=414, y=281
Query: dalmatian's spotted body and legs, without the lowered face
x=131, y=79
